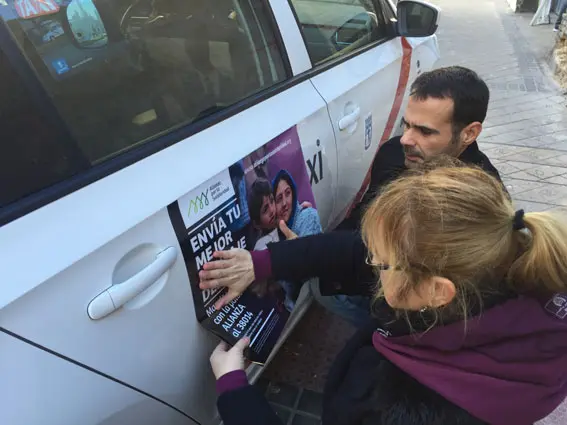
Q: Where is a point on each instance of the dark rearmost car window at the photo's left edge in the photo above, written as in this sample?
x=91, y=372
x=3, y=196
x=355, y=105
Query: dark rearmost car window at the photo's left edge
x=36, y=151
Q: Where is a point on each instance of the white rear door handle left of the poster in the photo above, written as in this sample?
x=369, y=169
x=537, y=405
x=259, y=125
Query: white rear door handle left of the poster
x=117, y=295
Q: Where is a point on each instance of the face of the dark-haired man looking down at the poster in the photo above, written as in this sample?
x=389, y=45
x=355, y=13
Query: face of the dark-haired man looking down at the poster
x=428, y=131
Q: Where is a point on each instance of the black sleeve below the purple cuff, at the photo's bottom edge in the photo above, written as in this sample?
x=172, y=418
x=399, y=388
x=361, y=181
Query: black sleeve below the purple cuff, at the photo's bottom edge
x=246, y=406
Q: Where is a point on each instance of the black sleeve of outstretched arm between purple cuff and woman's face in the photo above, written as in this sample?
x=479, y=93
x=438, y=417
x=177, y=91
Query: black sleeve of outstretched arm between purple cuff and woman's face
x=334, y=257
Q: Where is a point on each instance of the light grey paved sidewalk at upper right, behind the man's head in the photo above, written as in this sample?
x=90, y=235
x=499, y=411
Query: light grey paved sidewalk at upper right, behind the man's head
x=525, y=133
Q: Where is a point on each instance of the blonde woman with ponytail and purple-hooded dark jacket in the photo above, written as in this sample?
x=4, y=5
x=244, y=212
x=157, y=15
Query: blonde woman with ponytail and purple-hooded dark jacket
x=470, y=313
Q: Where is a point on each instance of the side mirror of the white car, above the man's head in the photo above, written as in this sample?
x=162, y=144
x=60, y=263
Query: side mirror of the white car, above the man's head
x=416, y=18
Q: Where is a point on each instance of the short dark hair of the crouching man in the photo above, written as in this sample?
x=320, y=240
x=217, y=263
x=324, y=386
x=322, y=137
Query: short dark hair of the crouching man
x=468, y=91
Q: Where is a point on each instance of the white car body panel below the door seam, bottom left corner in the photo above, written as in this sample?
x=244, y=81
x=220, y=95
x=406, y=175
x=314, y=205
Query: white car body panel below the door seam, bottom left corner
x=65, y=393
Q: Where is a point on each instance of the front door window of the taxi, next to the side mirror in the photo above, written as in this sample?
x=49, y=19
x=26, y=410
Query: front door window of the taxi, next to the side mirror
x=332, y=28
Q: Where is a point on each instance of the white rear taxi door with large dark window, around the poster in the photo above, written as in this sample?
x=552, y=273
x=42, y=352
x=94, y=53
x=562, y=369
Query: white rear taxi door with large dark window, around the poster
x=123, y=114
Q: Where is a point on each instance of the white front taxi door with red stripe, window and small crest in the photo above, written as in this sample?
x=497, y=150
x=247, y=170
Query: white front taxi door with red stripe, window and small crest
x=364, y=75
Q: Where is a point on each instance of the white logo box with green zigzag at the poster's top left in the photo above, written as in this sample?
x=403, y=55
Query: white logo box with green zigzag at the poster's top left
x=204, y=199
